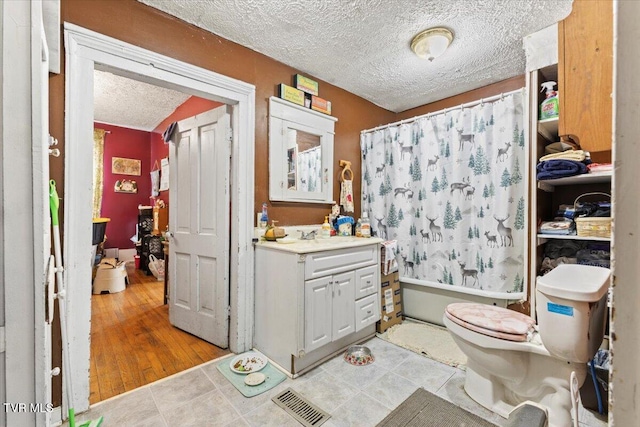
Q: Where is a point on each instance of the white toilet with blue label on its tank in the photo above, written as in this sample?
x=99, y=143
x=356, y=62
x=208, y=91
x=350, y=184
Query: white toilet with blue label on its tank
x=512, y=360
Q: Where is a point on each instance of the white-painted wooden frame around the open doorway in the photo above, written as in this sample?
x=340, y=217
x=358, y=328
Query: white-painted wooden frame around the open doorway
x=84, y=50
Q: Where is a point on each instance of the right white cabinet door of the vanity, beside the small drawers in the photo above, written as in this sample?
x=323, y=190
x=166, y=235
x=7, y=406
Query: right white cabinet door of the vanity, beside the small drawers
x=343, y=309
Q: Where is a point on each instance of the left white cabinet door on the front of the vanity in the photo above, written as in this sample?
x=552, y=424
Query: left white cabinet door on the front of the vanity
x=317, y=313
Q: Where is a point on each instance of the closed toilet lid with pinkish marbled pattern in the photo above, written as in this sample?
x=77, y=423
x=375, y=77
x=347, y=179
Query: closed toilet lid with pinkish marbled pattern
x=490, y=320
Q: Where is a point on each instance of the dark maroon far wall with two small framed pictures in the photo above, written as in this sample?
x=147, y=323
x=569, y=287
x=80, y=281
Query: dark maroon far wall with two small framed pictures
x=122, y=208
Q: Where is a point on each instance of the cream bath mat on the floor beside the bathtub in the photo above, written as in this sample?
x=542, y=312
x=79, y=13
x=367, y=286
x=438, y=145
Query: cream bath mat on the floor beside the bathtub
x=432, y=341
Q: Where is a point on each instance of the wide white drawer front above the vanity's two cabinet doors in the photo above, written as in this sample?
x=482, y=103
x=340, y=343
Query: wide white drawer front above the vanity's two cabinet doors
x=325, y=263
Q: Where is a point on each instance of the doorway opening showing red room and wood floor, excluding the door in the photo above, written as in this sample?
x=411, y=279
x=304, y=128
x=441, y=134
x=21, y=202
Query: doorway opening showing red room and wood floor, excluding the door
x=133, y=342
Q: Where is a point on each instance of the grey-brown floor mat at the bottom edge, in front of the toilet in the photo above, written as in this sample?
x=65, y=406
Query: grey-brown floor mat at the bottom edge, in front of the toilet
x=424, y=409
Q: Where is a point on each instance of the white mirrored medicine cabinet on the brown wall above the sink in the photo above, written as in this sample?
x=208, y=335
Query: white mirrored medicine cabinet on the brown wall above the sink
x=300, y=153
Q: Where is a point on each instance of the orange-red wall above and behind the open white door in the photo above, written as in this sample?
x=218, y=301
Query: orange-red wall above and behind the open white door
x=159, y=150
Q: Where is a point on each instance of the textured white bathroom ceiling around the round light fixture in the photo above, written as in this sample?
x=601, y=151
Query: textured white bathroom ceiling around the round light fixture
x=362, y=46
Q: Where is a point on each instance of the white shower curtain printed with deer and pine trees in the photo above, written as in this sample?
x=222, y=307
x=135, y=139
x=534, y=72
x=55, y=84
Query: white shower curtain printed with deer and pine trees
x=450, y=188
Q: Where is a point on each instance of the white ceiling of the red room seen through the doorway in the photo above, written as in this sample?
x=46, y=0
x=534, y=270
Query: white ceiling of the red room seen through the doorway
x=132, y=104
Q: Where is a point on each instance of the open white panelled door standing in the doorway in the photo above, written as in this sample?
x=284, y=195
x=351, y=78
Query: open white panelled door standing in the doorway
x=199, y=206
